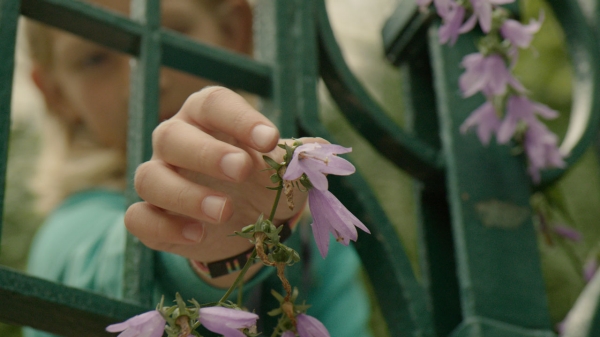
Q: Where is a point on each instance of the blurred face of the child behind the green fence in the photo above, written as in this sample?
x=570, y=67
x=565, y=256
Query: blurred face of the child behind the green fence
x=90, y=84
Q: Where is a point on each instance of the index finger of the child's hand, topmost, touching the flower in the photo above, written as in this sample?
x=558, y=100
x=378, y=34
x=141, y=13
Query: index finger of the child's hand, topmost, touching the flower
x=218, y=109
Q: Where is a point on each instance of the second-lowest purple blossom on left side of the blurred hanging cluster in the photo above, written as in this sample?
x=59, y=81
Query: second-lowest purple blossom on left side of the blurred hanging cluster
x=488, y=74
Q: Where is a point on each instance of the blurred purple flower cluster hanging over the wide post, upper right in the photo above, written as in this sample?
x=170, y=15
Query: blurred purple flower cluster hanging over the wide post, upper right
x=507, y=113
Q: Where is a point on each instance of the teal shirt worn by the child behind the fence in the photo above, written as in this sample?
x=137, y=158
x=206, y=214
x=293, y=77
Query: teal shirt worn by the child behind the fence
x=82, y=244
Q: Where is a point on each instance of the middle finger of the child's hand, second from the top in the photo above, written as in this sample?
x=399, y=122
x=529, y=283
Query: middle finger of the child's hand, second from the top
x=183, y=145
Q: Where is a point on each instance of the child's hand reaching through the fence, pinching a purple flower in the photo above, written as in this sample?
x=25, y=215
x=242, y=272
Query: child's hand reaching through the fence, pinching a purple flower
x=206, y=178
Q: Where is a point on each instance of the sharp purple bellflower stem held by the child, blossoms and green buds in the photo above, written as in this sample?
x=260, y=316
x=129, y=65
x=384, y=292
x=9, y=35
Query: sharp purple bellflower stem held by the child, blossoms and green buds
x=303, y=165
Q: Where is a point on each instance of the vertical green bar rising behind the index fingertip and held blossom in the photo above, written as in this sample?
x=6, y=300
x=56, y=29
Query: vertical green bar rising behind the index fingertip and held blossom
x=286, y=39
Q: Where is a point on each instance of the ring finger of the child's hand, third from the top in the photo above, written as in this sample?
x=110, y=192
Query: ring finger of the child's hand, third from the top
x=164, y=188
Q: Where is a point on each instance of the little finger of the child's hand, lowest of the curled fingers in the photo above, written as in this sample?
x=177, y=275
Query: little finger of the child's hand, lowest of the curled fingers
x=160, y=230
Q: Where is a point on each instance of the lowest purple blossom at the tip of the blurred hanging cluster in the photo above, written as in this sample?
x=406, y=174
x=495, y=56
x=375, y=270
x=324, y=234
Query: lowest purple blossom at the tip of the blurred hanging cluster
x=541, y=149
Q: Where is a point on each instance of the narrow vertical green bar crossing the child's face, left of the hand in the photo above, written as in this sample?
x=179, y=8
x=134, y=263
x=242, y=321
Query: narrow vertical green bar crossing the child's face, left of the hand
x=143, y=117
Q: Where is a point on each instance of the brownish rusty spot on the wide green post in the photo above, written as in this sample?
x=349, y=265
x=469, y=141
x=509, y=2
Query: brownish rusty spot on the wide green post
x=500, y=214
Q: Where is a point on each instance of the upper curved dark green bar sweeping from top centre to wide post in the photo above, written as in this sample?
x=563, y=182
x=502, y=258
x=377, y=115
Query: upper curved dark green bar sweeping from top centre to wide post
x=407, y=152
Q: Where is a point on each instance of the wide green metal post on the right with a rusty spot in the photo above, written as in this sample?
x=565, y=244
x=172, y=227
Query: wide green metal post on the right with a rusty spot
x=500, y=279
